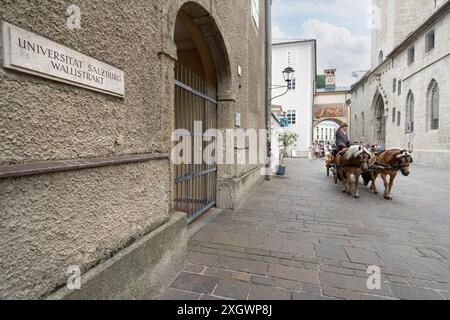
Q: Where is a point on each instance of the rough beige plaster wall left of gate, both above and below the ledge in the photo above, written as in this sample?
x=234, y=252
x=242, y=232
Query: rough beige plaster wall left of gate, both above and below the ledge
x=49, y=222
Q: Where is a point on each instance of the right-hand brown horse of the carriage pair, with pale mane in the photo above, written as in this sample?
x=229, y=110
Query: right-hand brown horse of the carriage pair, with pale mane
x=390, y=162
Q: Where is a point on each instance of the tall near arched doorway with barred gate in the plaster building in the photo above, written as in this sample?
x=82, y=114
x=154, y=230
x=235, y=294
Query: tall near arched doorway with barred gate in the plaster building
x=200, y=76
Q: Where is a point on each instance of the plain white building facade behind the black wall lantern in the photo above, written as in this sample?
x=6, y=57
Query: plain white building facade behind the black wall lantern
x=298, y=102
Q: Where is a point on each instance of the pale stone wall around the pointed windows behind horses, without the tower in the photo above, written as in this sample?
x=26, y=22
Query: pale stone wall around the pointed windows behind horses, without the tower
x=430, y=147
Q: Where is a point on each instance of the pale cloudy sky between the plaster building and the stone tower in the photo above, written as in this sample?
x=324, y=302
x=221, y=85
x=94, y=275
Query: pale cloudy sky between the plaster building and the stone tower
x=339, y=26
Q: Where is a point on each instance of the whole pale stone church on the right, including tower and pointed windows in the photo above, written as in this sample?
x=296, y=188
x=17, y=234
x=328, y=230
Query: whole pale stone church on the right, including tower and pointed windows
x=404, y=100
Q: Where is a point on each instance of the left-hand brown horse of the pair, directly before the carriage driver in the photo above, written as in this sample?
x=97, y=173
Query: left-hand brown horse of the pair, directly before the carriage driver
x=353, y=161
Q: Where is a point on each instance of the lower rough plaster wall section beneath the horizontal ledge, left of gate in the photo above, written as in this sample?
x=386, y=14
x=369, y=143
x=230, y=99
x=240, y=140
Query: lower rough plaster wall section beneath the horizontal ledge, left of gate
x=53, y=221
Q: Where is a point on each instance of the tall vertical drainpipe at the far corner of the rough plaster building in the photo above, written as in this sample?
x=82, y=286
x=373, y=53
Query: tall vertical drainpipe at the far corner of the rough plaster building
x=267, y=65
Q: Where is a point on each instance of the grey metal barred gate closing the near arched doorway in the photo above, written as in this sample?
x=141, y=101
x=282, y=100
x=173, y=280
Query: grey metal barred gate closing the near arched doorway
x=195, y=184
